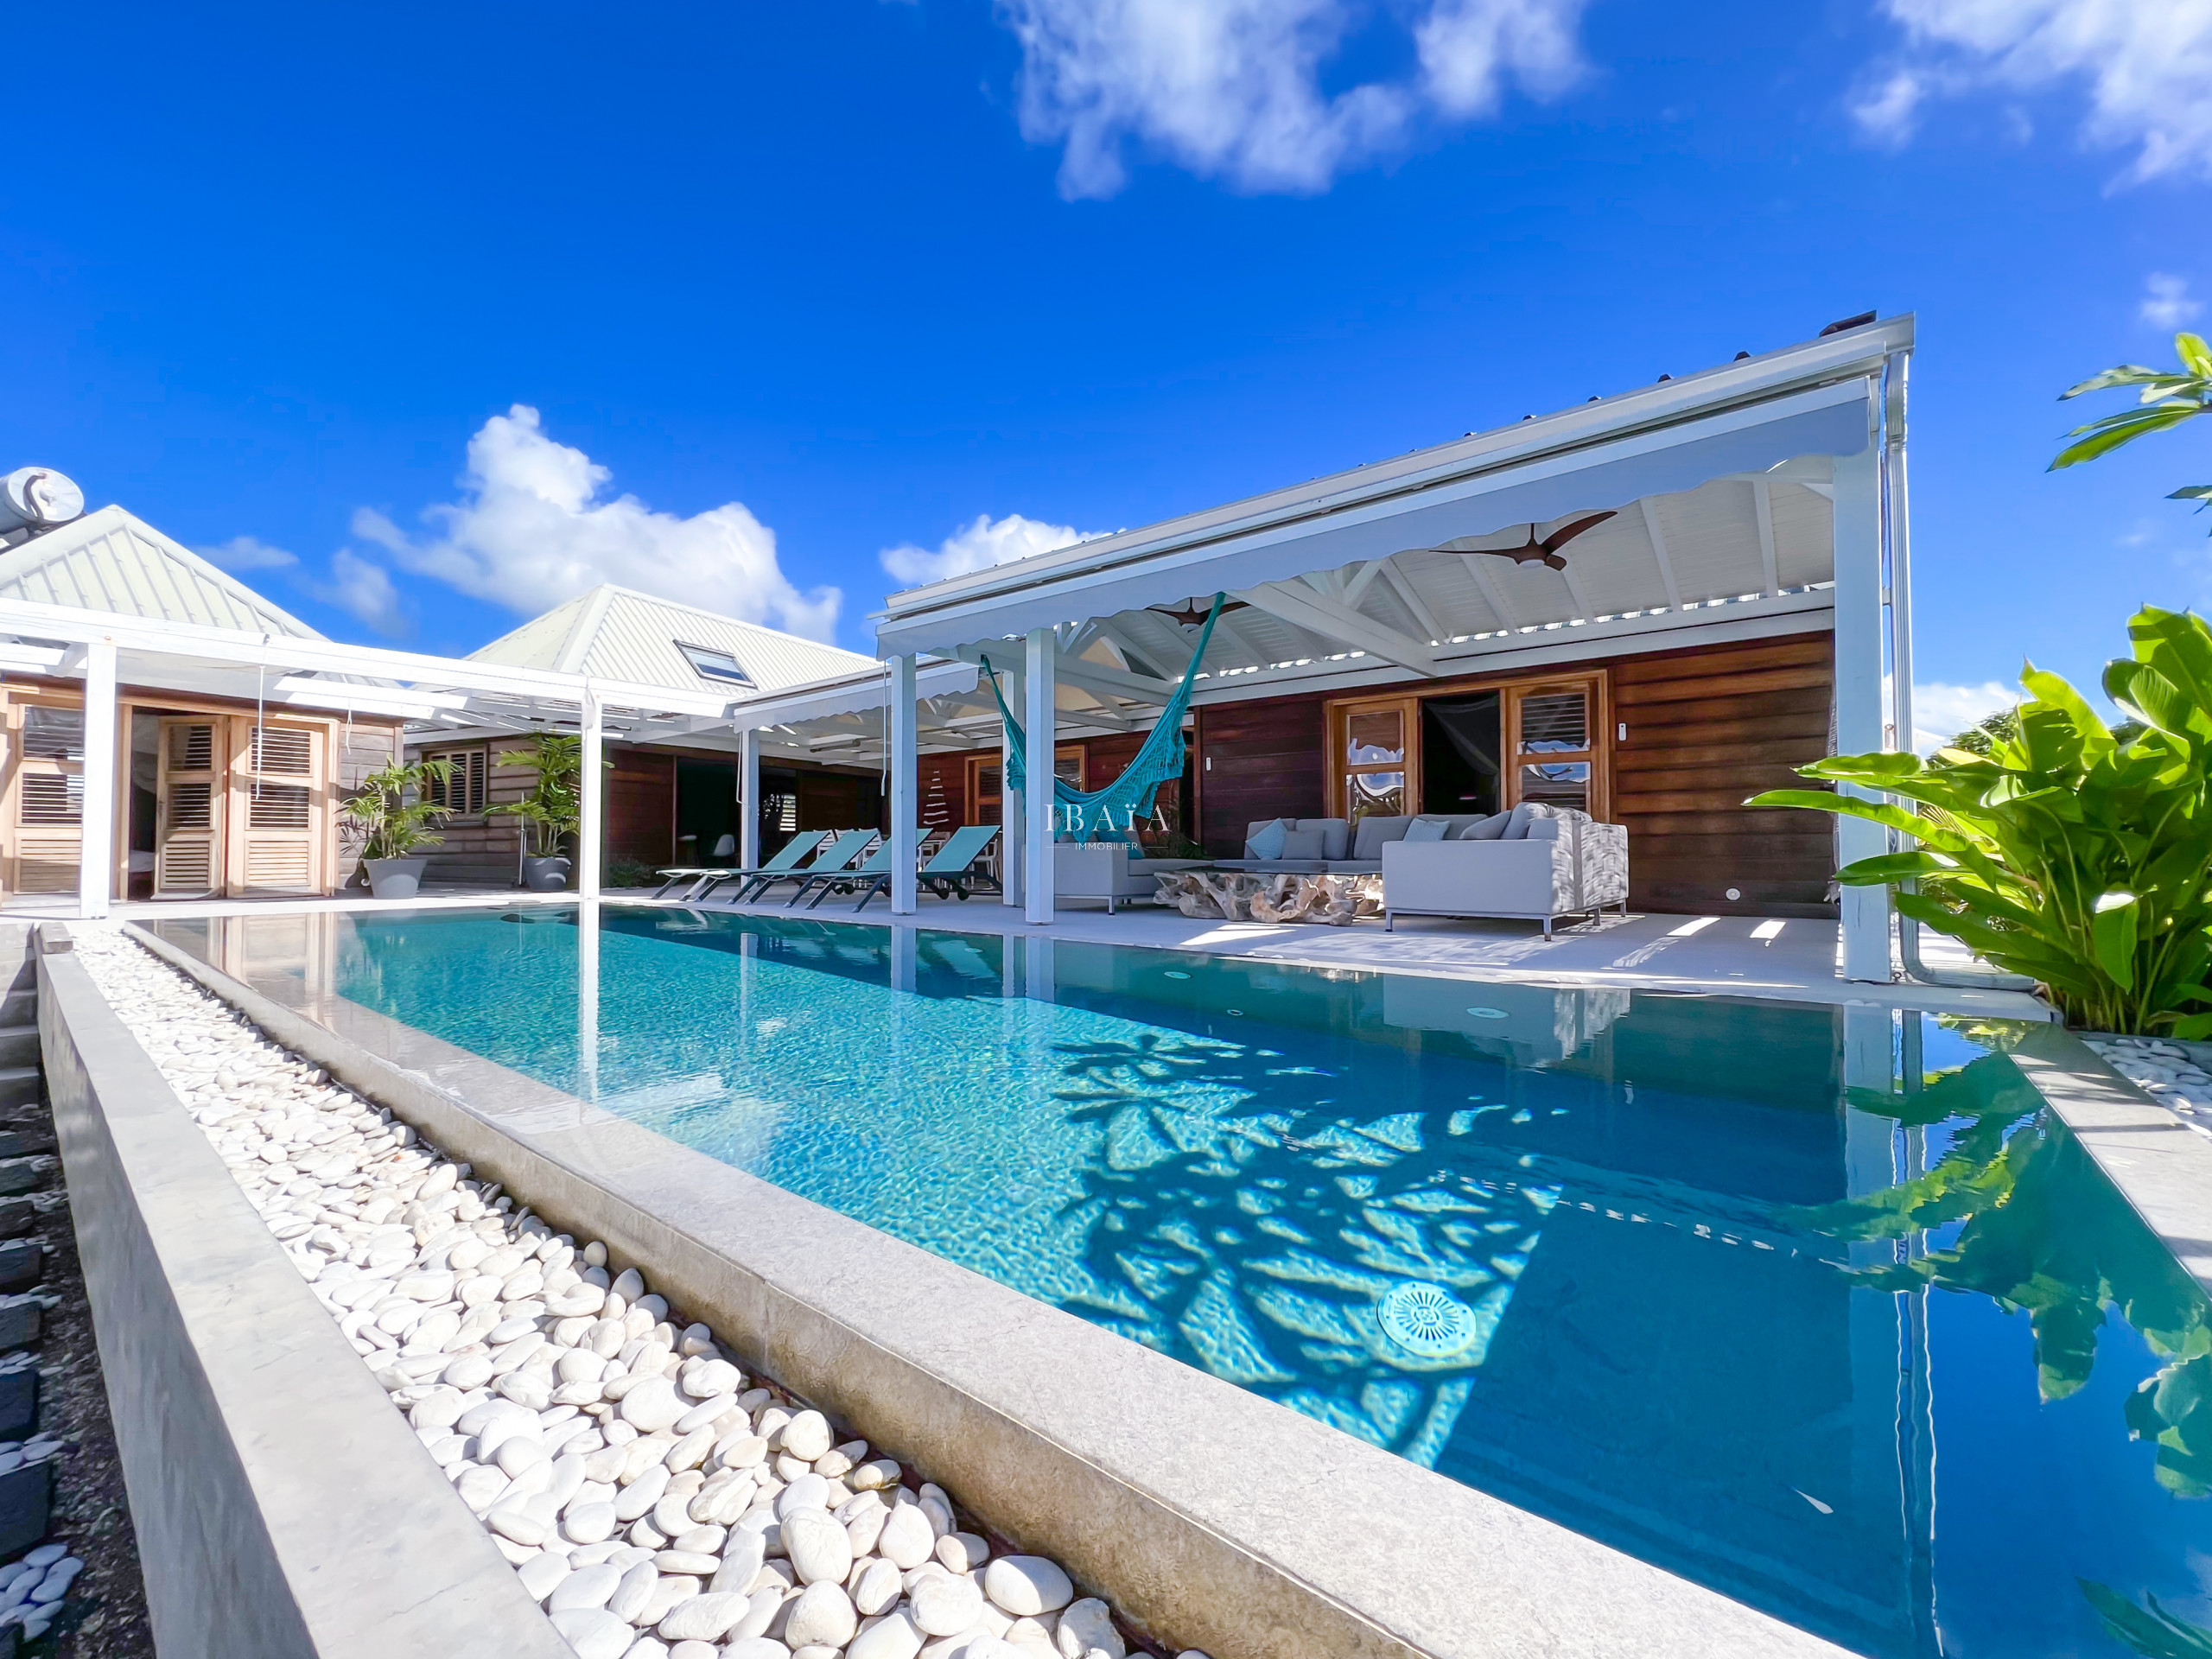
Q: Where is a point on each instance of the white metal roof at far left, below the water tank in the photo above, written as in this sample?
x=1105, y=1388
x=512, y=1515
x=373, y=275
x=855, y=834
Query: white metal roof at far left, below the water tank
x=118, y=563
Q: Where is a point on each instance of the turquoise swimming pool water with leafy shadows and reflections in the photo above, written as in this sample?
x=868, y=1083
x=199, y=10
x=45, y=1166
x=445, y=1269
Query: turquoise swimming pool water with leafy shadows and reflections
x=1806, y=1304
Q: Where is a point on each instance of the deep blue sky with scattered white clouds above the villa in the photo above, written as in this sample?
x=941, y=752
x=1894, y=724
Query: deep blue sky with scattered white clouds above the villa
x=813, y=286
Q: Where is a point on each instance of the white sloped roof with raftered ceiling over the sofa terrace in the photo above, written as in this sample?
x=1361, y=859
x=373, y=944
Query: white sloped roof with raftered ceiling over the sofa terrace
x=1720, y=483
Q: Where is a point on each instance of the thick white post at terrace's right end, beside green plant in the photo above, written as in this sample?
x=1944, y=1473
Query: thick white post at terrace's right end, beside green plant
x=1861, y=713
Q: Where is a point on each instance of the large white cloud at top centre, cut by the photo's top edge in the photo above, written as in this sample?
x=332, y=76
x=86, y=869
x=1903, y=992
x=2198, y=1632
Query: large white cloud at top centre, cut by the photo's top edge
x=1231, y=90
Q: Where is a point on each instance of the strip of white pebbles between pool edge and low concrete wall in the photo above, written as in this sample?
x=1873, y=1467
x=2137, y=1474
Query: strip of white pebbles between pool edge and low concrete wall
x=651, y=1501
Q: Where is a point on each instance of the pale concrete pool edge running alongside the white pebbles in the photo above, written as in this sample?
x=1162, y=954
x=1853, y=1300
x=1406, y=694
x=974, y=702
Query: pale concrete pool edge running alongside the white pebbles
x=1209, y=1514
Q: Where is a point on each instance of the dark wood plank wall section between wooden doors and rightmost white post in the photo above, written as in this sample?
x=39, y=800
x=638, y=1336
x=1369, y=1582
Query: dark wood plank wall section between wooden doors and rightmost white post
x=1709, y=729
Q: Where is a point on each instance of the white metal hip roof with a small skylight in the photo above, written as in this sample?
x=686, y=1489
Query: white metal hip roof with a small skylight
x=620, y=634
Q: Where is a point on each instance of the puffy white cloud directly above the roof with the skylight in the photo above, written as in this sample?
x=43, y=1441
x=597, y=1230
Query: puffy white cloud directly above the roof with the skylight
x=532, y=532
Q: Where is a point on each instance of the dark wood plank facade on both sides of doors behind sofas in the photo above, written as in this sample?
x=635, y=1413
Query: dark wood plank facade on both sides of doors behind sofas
x=1682, y=740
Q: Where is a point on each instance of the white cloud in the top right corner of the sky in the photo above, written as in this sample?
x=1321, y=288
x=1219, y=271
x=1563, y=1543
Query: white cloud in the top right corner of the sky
x=2147, y=65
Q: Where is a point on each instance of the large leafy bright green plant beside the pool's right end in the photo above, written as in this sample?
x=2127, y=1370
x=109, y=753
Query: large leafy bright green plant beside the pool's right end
x=2072, y=853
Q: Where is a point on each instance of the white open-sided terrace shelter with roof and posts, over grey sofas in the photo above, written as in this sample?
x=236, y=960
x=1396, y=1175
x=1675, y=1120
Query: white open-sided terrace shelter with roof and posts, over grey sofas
x=1755, y=499
